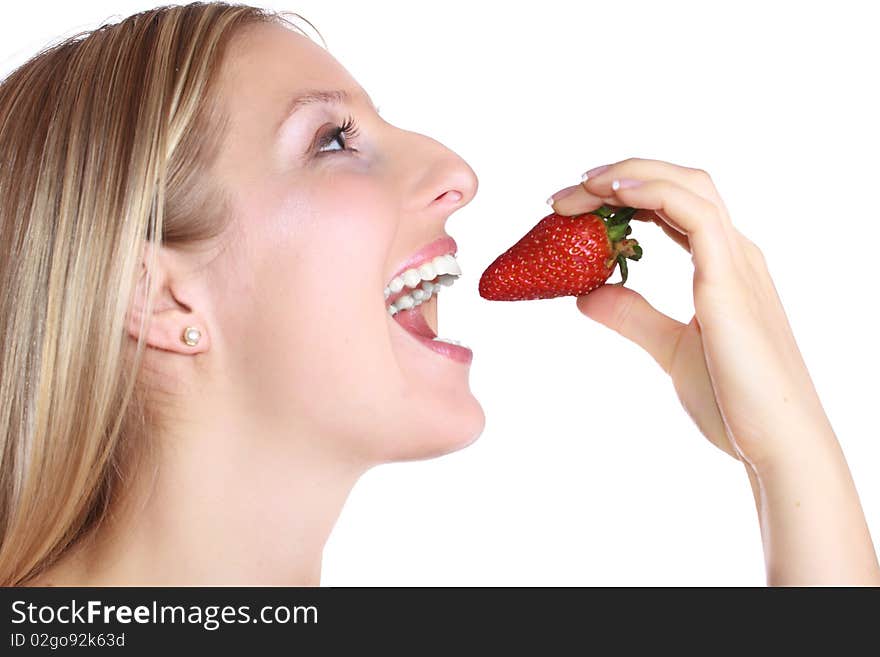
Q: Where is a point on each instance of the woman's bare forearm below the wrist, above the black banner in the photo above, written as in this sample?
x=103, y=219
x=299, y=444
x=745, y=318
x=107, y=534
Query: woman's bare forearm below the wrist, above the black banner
x=812, y=525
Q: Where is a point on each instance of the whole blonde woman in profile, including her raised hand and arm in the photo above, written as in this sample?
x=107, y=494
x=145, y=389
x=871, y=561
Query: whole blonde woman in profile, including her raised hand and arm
x=200, y=214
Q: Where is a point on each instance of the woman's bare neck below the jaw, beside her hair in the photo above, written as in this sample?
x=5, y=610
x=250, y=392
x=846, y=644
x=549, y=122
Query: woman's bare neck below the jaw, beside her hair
x=217, y=509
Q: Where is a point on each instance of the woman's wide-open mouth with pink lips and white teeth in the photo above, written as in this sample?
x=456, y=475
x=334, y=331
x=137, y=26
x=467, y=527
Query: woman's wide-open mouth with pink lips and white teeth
x=416, y=288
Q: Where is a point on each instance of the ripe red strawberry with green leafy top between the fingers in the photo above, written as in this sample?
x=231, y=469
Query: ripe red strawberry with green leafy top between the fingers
x=563, y=256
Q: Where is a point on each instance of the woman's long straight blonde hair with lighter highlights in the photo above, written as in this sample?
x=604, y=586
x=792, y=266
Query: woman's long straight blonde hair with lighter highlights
x=106, y=141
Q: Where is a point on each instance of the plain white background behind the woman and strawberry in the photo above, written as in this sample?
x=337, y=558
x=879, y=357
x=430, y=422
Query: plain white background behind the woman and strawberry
x=588, y=471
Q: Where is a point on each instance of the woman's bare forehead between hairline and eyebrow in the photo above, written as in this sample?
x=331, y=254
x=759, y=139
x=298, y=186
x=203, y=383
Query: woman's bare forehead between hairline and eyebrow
x=267, y=64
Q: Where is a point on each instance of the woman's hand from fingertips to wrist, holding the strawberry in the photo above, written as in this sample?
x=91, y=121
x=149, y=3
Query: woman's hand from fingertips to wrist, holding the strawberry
x=735, y=365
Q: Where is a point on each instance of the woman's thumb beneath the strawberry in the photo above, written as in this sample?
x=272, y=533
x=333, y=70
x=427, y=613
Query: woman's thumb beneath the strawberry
x=626, y=311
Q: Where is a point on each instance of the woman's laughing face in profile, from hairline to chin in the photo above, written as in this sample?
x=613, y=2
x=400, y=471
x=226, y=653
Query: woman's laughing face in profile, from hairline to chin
x=322, y=224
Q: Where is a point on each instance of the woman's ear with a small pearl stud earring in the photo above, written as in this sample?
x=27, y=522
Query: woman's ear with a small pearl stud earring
x=174, y=308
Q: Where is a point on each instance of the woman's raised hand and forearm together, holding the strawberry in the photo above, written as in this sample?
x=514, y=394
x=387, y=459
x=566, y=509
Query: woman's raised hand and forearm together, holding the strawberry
x=738, y=371
